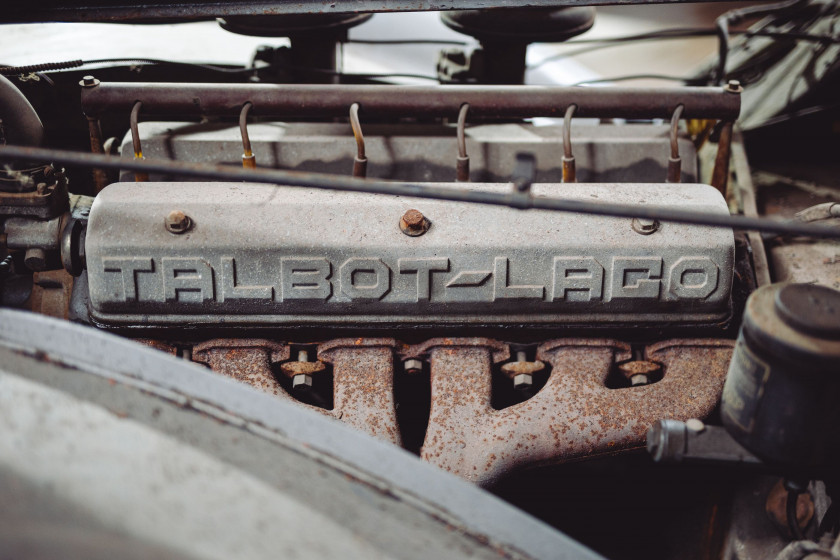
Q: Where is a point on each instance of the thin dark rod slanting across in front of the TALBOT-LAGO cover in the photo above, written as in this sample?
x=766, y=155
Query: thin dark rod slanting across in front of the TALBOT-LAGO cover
x=514, y=199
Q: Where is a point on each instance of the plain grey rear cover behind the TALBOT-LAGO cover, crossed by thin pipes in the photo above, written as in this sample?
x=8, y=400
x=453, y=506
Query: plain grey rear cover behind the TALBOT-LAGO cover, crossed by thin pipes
x=606, y=153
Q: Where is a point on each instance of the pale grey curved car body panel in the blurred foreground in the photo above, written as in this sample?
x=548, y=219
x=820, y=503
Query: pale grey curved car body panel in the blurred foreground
x=212, y=468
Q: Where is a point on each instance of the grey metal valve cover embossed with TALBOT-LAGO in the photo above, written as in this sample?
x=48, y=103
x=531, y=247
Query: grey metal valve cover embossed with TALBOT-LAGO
x=261, y=255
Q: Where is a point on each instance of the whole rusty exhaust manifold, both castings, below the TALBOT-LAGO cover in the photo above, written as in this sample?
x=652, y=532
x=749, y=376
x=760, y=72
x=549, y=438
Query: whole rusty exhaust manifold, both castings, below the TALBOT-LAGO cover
x=574, y=415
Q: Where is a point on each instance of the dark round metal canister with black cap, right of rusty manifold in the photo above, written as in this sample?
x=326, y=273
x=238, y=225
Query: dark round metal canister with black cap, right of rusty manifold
x=781, y=399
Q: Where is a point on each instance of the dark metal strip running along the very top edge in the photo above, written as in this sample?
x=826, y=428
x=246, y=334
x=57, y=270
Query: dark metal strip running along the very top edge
x=167, y=11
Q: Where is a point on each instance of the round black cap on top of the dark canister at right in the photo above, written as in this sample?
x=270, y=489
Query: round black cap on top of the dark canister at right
x=810, y=308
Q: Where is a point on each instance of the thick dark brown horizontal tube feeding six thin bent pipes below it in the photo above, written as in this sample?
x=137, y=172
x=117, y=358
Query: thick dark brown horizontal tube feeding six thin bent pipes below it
x=199, y=100
